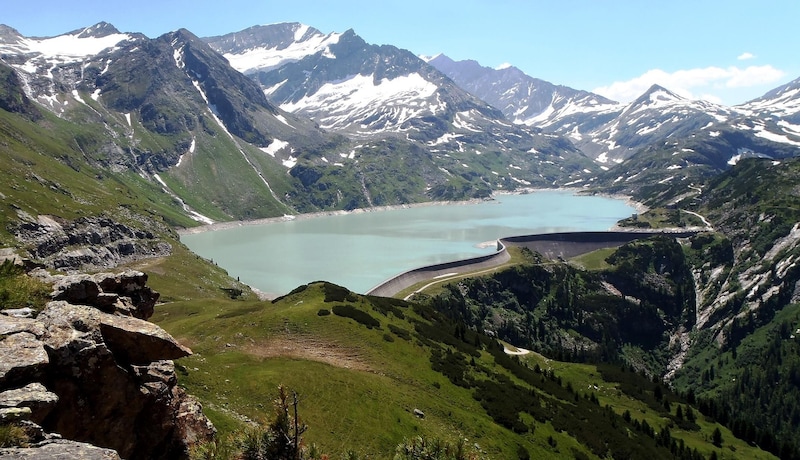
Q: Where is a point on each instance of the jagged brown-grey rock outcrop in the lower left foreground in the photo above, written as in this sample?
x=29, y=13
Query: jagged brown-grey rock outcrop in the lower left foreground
x=90, y=368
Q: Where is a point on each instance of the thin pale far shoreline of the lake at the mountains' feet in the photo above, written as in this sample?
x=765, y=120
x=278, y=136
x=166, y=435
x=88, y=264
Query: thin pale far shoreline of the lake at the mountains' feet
x=640, y=208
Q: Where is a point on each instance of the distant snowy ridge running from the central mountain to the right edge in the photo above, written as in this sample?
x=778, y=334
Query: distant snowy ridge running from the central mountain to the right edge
x=610, y=132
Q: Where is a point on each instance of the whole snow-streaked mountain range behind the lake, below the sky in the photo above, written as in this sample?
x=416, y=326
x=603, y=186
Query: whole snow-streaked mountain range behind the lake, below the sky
x=331, y=109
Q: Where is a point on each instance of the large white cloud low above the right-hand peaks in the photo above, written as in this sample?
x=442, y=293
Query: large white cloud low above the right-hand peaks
x=691, y=83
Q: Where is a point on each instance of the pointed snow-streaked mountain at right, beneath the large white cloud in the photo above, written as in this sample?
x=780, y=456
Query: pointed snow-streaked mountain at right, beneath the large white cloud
x=676, y=144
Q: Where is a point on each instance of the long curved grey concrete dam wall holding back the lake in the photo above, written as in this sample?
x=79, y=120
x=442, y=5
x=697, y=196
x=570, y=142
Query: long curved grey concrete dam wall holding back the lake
x=551, y=245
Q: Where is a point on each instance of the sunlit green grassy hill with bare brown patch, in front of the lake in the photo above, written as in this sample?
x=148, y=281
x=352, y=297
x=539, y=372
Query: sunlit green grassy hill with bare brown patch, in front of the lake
x=359, y=386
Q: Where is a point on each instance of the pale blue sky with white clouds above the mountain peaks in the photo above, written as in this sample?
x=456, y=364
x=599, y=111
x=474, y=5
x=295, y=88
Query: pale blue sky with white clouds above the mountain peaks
x=724, y=51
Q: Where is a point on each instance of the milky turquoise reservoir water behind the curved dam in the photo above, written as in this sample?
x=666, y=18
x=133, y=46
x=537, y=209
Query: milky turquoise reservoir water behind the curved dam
x=359, y=250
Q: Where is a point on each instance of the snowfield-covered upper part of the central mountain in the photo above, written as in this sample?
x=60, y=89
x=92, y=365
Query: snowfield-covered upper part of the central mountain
x=347, y=85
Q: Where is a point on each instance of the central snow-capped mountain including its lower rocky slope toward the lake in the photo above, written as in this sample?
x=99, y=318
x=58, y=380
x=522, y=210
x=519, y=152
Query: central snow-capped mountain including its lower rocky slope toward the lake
x=372, y=92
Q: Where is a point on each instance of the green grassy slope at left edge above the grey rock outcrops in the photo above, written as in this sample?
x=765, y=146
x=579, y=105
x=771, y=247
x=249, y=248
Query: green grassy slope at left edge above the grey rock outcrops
x=50, y=176
